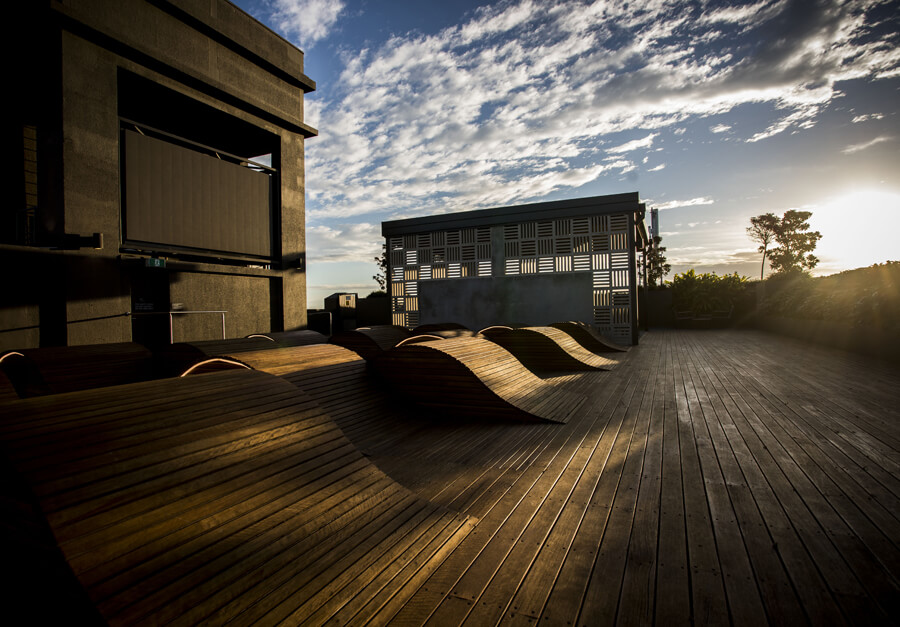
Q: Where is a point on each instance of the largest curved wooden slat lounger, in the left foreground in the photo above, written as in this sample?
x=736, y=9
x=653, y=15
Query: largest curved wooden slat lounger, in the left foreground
x=226, y=496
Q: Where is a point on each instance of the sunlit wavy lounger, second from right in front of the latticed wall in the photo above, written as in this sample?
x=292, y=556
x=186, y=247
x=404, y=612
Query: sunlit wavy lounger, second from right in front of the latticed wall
x=546, y=349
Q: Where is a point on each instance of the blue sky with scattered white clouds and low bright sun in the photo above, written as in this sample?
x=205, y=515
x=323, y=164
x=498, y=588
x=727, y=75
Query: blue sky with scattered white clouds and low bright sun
x=712, y=111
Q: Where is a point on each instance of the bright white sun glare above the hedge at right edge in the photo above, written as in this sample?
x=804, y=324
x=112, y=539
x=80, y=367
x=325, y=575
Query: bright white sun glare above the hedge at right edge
x=858, y=229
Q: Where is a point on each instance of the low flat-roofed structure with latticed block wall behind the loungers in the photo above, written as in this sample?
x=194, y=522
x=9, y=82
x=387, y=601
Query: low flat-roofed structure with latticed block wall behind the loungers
x=528, y=264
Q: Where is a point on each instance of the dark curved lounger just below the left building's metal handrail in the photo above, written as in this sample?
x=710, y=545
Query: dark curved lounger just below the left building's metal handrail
x=175, y=359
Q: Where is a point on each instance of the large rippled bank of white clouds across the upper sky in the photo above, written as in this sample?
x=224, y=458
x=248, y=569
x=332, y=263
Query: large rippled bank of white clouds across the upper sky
x=522, y=100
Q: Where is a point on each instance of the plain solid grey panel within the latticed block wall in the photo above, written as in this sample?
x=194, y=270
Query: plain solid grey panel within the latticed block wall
x=481, y=302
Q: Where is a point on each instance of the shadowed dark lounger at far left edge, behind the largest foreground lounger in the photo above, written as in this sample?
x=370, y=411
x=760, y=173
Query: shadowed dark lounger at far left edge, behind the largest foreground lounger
x=55, y=370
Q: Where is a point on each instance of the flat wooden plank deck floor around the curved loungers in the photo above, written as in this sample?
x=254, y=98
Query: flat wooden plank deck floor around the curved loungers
x=712, y=477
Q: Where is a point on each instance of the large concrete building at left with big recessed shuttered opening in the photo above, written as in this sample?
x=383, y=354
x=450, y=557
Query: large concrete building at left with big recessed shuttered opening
x=162, y=152
